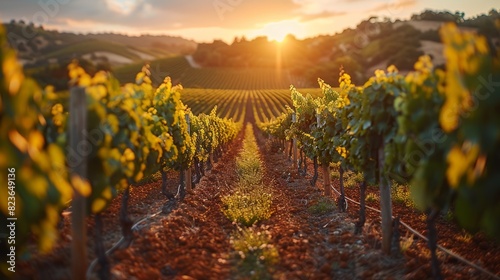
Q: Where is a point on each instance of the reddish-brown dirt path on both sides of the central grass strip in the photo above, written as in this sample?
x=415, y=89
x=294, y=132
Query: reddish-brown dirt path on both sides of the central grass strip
x=193, y=242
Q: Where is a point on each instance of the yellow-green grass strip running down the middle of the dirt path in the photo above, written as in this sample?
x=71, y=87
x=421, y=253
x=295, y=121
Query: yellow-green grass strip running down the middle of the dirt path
x=248, y=204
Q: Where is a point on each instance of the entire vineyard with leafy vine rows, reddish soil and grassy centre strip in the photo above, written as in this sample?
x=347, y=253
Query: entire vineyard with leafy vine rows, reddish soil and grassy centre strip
x=235, y=174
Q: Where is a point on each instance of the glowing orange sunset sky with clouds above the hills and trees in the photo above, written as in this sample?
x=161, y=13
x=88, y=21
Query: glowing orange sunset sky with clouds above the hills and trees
x=205, y=20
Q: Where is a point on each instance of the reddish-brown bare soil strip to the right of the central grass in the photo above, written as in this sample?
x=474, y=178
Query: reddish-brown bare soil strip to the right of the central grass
x=318, y=246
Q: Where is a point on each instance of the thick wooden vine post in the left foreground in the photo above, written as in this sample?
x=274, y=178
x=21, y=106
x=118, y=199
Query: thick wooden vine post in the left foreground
x=78, y=166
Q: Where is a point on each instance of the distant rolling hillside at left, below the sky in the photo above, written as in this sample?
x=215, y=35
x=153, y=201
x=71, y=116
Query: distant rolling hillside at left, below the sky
x=38, y=47
